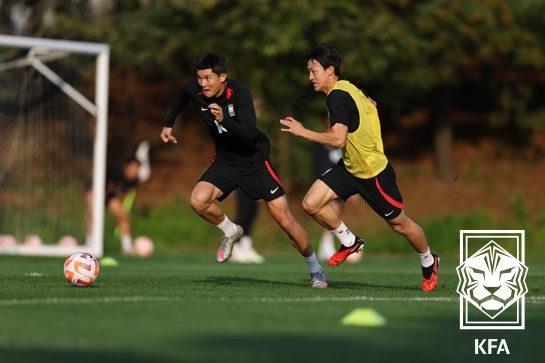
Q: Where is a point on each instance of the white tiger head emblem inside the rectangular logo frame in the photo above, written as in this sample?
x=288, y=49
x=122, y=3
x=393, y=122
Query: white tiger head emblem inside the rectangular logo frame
x=492, y=279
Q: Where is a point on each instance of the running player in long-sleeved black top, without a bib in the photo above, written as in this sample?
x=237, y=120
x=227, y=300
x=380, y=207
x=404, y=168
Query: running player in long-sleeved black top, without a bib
x=242, y=159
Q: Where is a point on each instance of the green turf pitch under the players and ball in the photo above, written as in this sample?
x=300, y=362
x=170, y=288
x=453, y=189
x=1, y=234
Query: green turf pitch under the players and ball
x=189, y=308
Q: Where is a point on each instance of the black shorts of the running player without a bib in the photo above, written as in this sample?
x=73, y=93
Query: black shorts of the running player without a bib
x=258, y=180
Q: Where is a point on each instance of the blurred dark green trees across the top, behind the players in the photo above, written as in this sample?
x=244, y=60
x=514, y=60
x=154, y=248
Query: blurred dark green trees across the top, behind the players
x=485, y=58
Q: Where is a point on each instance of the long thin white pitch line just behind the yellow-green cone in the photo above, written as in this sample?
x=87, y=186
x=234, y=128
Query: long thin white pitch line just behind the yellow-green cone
x=314, y=299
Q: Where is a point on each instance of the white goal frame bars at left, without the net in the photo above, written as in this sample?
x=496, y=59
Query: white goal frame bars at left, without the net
x=98, y=109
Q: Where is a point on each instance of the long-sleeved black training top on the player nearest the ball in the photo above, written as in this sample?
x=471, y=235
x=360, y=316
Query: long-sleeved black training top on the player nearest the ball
x=238, y=140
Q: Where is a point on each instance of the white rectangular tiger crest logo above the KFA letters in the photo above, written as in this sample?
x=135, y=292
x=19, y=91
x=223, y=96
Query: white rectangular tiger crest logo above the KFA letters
x=492, y=279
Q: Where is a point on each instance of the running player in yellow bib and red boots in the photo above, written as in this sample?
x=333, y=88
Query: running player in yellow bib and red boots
x=363, y=169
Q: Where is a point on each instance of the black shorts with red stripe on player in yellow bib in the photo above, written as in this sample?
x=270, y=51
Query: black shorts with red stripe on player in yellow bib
x=380, y=192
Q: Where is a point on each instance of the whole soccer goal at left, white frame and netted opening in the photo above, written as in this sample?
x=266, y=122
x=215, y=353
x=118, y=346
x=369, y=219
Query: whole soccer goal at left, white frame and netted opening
x=38, y=91
